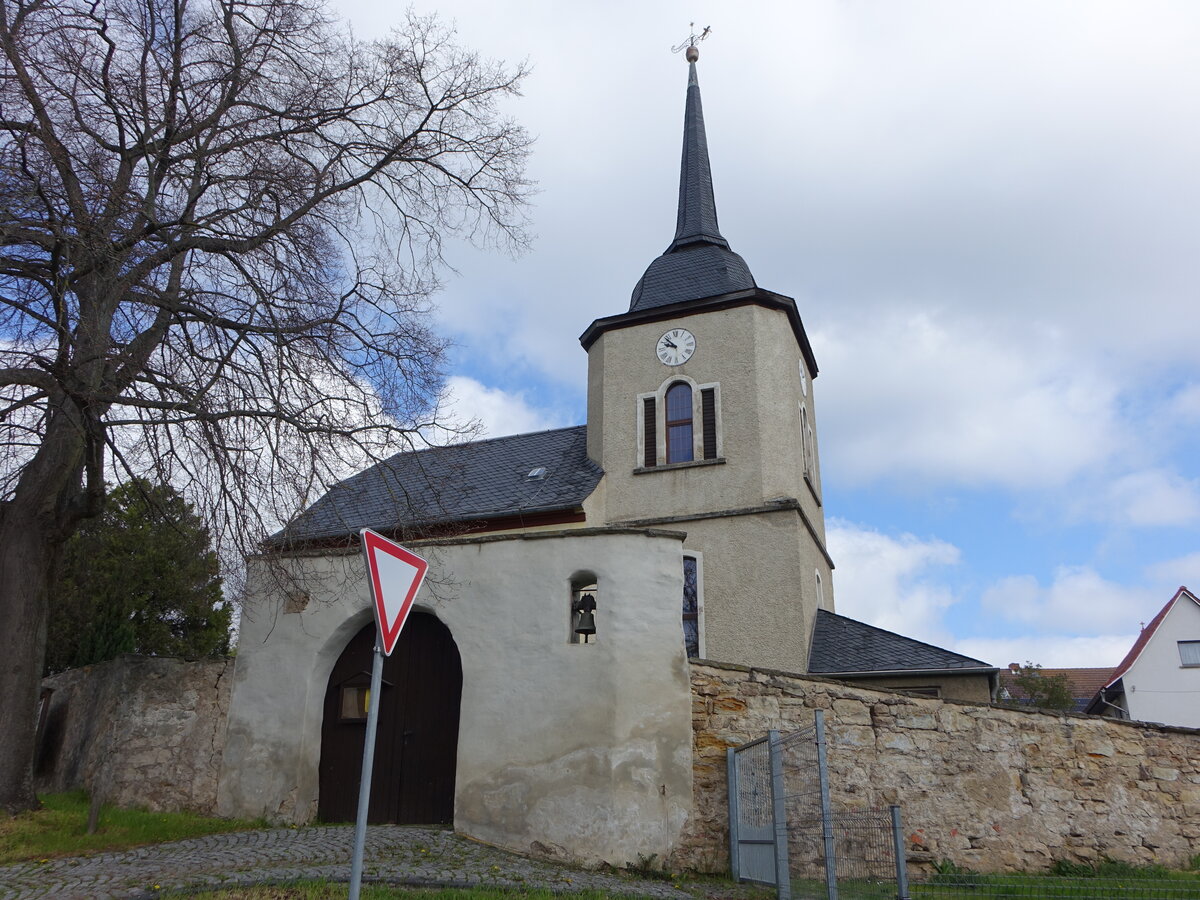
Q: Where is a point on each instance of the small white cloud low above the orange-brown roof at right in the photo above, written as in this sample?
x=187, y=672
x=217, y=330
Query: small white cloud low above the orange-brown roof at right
x=1078, y=602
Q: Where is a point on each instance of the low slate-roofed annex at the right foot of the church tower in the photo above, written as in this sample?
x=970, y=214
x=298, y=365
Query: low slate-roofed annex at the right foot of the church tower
x=856, y=652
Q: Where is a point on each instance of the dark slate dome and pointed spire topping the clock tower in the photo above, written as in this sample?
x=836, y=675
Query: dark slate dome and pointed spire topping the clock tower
x=699, y=263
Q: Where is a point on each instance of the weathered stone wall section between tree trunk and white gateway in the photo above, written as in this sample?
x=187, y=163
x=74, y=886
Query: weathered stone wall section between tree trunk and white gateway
x=145, y=731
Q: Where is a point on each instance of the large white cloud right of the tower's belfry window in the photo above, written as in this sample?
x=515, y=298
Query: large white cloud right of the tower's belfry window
x=922, y=397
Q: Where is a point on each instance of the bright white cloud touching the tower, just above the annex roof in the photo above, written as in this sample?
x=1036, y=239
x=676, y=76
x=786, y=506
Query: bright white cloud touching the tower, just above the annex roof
x=892, y=583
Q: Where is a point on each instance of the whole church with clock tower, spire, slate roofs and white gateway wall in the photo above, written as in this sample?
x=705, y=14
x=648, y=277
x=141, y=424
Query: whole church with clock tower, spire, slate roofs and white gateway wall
x=539, y=698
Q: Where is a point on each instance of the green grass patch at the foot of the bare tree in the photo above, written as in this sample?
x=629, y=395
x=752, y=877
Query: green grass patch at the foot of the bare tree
x=61, y=829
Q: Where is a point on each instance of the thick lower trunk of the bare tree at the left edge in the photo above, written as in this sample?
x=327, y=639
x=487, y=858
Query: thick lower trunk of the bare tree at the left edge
x=26, y=561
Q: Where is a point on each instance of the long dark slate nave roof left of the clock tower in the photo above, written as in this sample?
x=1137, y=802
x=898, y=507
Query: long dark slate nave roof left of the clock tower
x=482, y=479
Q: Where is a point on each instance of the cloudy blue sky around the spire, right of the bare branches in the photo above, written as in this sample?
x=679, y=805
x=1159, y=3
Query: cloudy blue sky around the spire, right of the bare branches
x=989, y=218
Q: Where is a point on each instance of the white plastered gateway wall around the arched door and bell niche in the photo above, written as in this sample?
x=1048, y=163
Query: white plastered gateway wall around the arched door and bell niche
x=575, y=751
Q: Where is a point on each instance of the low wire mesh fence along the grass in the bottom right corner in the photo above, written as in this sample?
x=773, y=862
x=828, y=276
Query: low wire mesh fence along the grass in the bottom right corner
x=961, y=886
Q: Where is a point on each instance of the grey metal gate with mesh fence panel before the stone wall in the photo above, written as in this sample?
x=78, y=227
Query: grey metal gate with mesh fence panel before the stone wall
x=784, y=831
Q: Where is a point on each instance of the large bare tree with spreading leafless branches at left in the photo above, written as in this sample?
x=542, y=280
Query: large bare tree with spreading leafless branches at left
x=219, y=229
